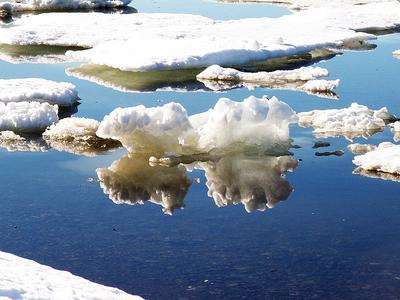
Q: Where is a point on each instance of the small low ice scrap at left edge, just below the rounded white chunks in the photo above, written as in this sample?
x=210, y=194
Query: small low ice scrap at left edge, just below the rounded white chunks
x=13, y=142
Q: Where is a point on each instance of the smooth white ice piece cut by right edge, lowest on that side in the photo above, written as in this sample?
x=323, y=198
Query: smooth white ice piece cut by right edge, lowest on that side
x=386, y=158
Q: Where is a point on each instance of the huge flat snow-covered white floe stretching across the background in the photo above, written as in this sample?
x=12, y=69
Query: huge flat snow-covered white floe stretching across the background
x=195, y=41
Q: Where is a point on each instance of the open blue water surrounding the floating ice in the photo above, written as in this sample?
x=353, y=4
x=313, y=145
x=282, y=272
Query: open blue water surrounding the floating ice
x=335, y=237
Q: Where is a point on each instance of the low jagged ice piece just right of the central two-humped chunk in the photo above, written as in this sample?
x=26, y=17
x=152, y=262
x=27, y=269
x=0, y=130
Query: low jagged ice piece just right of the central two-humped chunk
x=350, y=122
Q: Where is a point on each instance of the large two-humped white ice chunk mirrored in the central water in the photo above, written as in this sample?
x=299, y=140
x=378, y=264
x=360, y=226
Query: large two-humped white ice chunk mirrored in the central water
x=252, y=125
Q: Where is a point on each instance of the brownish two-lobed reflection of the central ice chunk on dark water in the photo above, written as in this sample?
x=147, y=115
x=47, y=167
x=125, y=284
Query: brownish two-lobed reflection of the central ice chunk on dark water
x=258, y=183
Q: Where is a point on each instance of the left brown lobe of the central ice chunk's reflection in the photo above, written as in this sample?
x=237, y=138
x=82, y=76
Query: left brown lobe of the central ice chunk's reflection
x=131, y=180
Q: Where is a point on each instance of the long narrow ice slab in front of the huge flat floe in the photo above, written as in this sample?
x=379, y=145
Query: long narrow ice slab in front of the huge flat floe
x=305, y=78
